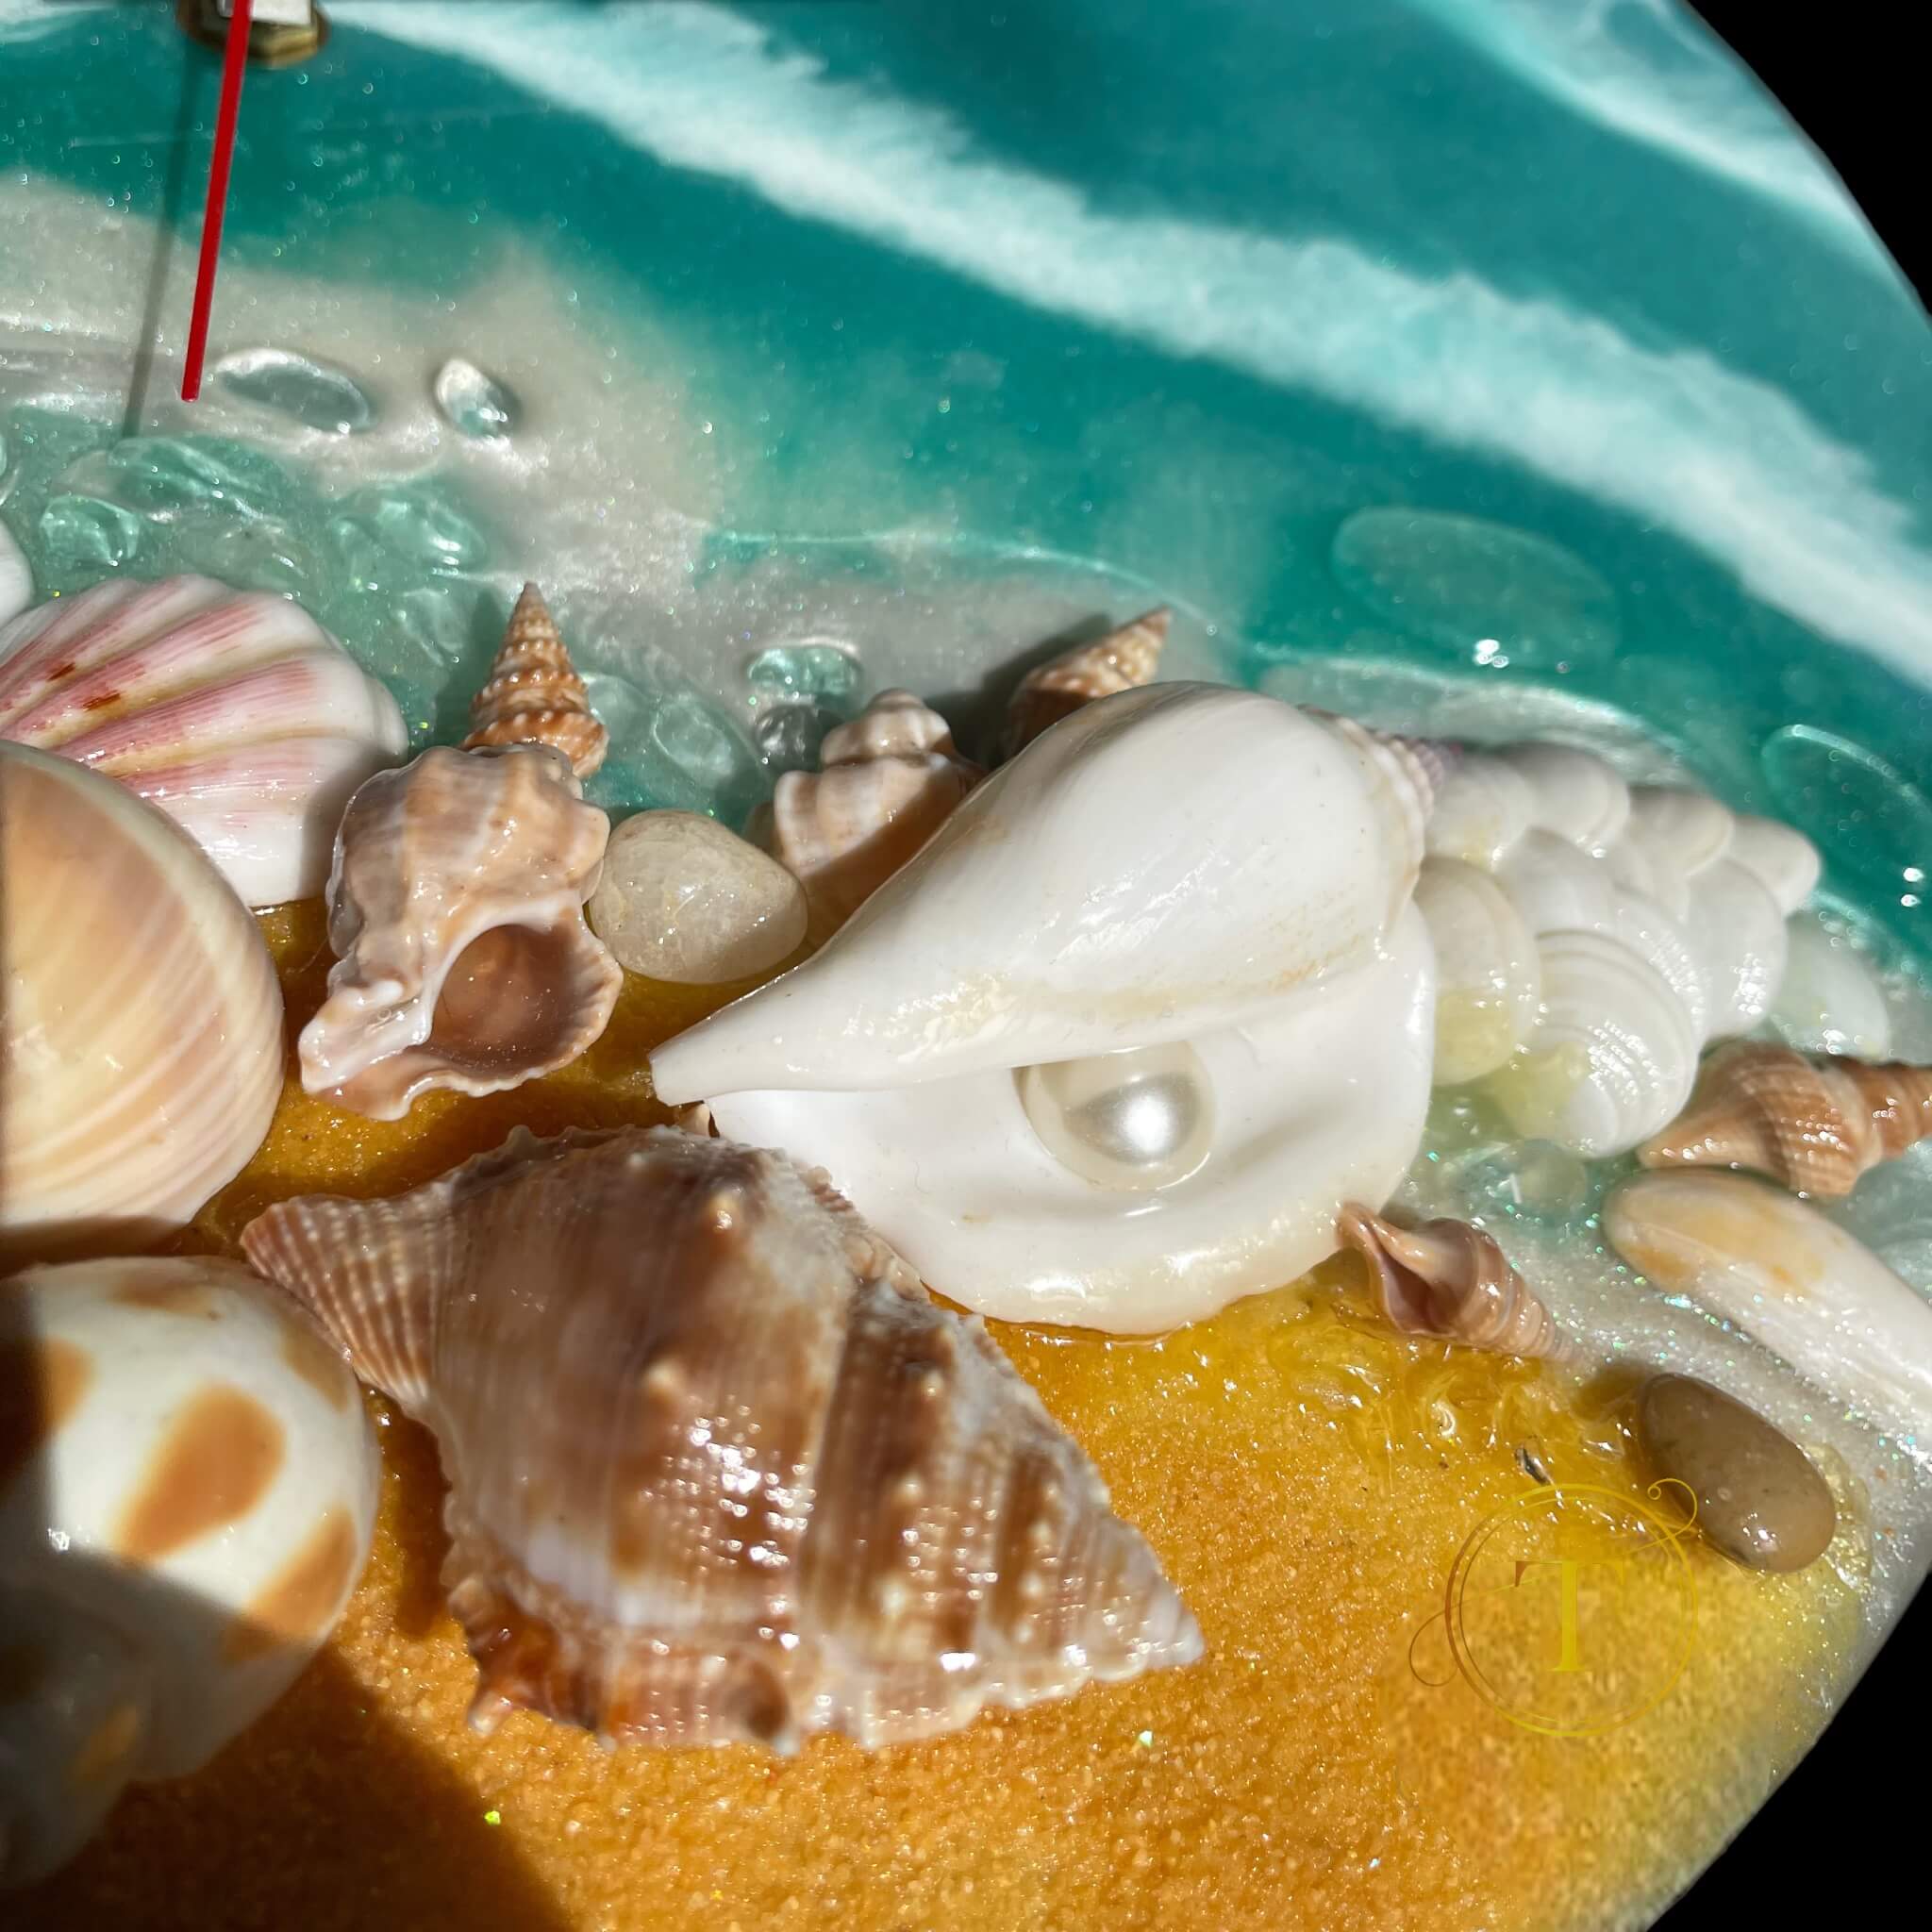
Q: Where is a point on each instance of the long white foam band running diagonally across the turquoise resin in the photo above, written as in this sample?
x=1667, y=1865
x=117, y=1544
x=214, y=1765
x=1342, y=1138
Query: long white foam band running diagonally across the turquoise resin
x=1724, y=463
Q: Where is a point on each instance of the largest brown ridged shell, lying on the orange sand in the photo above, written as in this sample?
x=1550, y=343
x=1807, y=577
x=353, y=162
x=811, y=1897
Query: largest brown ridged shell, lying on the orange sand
x=758, y=1487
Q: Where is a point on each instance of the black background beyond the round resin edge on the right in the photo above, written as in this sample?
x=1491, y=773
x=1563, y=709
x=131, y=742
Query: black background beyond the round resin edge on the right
x=1844, y=1829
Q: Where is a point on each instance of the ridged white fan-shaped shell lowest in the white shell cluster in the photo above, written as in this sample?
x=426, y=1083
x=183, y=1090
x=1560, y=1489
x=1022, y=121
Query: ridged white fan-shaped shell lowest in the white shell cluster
x=1614, y=1058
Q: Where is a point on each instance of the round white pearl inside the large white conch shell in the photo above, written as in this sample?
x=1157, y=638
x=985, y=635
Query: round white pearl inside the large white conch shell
x=1139, y=1120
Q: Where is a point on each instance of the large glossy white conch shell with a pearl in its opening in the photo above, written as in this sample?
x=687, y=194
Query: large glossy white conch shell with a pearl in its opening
x=1122, y=1040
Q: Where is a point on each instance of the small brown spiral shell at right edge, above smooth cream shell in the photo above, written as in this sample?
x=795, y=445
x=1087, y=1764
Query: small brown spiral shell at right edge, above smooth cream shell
x=1815, y=1123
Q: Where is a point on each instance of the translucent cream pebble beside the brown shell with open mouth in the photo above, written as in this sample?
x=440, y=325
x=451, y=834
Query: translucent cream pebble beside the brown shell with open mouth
x=687, y=901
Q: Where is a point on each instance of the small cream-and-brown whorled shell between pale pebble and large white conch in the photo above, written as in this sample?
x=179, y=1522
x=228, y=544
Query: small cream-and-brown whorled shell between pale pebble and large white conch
x=890, y=780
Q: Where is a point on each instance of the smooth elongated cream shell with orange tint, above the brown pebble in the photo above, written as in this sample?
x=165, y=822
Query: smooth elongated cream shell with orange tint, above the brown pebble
x=1782, y=1272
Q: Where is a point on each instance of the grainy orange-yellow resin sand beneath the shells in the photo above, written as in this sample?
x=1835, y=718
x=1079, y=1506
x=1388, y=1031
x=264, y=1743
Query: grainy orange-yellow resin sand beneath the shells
x=1307, y=1479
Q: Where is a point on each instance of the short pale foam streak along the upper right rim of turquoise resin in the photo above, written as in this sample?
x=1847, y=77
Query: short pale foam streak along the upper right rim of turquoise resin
x=1697, y=105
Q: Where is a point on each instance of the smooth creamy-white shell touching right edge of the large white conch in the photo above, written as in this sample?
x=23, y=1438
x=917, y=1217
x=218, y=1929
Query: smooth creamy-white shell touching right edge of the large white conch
x=1489, y=980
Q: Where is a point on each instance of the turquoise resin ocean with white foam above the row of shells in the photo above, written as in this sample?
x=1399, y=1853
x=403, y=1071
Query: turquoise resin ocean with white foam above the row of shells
x=1498, y=366
